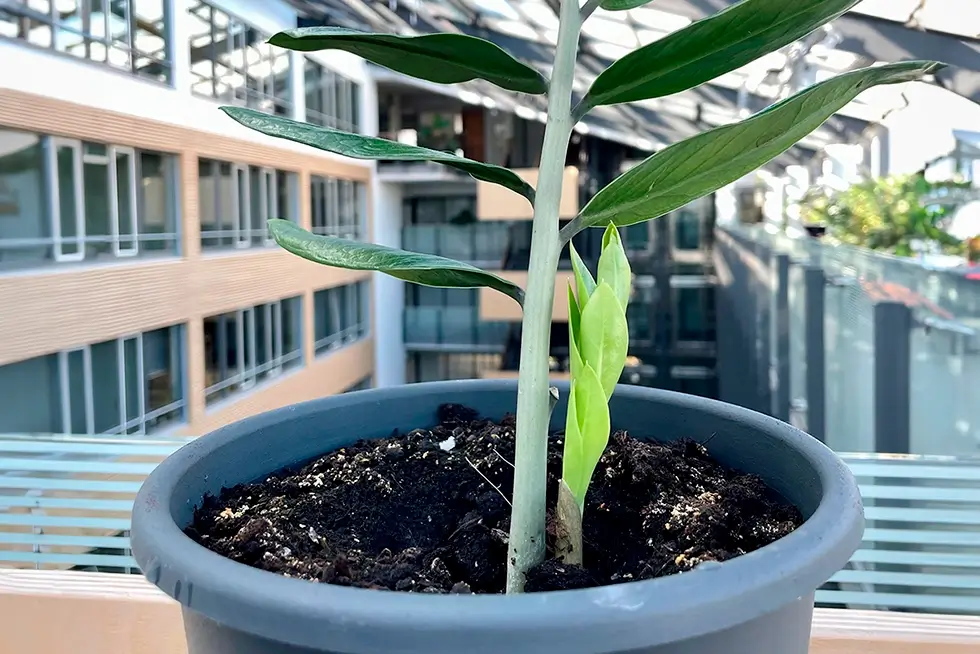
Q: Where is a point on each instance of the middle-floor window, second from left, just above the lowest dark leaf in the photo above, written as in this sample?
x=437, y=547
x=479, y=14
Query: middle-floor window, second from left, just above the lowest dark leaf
x=236, y=201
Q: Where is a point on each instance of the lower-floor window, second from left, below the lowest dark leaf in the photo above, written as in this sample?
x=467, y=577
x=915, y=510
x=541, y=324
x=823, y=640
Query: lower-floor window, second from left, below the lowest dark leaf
x=251, y=345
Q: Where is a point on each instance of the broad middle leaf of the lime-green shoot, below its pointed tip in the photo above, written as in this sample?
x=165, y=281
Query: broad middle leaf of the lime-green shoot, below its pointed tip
x=604, y=337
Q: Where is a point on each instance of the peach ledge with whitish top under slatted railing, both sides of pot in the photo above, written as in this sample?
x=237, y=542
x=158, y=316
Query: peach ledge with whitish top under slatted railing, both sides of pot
x=119, y=614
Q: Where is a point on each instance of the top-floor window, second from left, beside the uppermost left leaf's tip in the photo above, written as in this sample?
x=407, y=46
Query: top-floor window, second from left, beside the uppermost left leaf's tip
x=231, y=61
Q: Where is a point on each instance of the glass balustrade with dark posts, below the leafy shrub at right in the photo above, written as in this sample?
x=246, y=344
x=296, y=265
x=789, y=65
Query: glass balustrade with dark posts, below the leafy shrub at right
x=867, y=352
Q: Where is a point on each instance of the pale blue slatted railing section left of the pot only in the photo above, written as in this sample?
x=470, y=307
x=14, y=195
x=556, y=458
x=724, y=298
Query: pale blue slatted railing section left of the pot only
x=66, y=501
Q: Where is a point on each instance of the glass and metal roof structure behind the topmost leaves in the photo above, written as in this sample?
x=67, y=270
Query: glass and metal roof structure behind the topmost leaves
x=875, y=31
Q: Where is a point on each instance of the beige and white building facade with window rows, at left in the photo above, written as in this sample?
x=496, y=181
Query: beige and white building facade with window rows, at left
x=139, y=289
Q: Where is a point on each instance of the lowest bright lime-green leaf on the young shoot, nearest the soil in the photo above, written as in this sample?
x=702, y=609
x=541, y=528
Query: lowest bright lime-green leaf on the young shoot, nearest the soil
x=586, y=432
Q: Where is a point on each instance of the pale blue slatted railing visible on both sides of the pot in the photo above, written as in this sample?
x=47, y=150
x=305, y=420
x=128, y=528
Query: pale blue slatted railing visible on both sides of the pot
x=65, y=503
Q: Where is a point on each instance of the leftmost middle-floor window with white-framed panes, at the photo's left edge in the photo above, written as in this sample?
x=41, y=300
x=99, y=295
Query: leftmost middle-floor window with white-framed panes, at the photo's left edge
x=68, y=200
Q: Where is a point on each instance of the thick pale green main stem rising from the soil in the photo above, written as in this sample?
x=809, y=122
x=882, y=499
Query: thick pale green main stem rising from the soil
x=527, y=546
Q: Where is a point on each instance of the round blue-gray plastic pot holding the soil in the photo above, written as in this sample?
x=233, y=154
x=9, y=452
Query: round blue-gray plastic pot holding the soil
x=759, y=603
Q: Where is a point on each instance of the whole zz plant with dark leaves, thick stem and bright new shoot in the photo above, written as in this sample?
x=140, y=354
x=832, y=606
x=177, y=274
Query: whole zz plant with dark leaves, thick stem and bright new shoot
x=663, y=182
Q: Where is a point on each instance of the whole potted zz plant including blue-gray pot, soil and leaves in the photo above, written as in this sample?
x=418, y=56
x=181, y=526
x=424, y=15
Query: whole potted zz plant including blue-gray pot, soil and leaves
x=432, y=488
